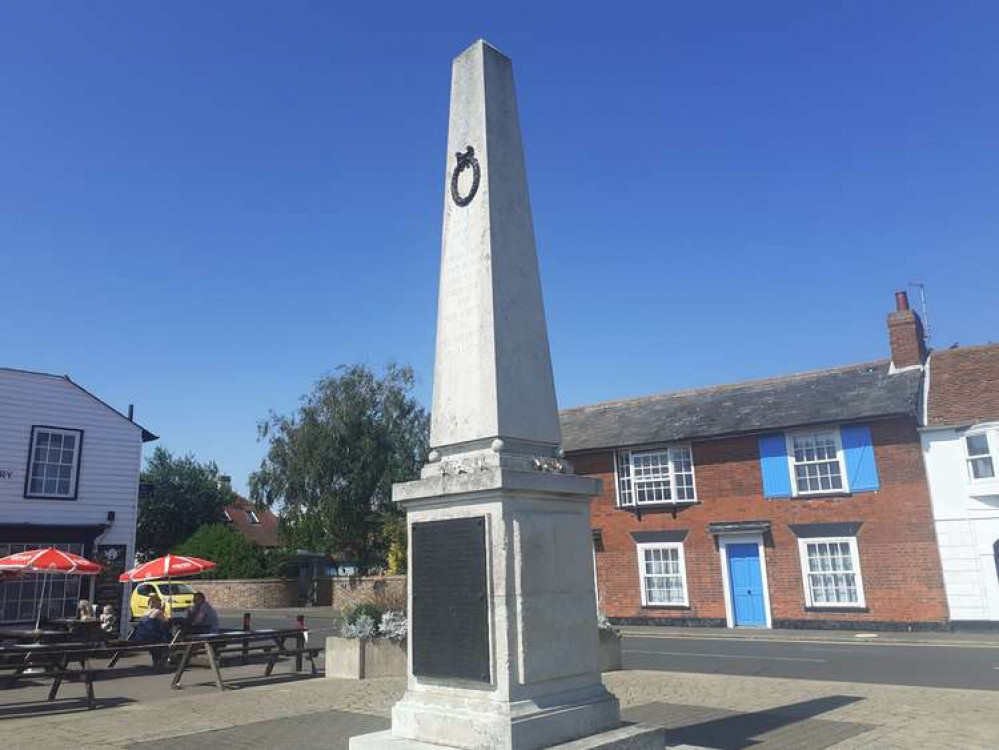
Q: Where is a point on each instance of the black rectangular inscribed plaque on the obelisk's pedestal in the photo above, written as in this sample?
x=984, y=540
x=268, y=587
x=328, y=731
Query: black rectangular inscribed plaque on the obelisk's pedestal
x=450, y=623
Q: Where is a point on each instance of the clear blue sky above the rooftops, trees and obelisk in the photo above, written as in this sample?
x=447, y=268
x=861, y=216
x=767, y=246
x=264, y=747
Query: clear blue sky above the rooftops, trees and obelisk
x=206, y=206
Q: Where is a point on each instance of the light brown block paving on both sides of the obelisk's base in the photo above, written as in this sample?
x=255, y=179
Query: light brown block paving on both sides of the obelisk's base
x=708, y=710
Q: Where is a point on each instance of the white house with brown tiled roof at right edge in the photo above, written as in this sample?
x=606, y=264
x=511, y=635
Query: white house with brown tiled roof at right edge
x=960, y=443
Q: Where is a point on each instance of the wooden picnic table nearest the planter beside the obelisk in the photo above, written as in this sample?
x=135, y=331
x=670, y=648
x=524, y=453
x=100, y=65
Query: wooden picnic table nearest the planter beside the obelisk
x=274, y=643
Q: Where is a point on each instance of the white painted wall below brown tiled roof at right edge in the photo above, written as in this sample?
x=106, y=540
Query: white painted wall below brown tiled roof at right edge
x=967, y=525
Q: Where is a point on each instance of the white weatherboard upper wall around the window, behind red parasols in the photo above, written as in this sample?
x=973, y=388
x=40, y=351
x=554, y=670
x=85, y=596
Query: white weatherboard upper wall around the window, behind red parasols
x=110, y=460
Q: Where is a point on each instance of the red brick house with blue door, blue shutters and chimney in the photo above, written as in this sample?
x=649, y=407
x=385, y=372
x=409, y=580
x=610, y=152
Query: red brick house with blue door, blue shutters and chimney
x=797, y=501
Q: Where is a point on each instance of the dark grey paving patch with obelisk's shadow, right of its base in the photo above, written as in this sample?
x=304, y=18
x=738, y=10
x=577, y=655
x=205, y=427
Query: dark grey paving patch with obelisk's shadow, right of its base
x=790, y=726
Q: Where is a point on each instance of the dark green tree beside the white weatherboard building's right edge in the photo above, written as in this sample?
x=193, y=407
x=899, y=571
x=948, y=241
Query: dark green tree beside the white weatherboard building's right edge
x=187, y=494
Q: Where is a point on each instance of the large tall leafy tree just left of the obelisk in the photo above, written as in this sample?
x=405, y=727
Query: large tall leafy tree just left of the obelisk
x=332, y=463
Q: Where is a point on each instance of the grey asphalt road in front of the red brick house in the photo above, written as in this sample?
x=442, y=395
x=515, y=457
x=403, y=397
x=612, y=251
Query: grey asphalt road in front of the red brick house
x=924, y=665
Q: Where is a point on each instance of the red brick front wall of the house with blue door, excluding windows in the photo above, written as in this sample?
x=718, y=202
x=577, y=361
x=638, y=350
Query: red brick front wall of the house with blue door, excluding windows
x=900, y=564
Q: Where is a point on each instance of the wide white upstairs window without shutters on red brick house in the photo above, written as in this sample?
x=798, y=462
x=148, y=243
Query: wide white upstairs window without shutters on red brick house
x=654, y=476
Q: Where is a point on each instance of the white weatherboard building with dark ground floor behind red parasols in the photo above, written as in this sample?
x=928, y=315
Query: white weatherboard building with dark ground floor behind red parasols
x=69, y=478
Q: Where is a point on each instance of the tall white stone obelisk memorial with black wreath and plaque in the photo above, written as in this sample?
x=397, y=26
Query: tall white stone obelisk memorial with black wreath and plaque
x=503, y=620
